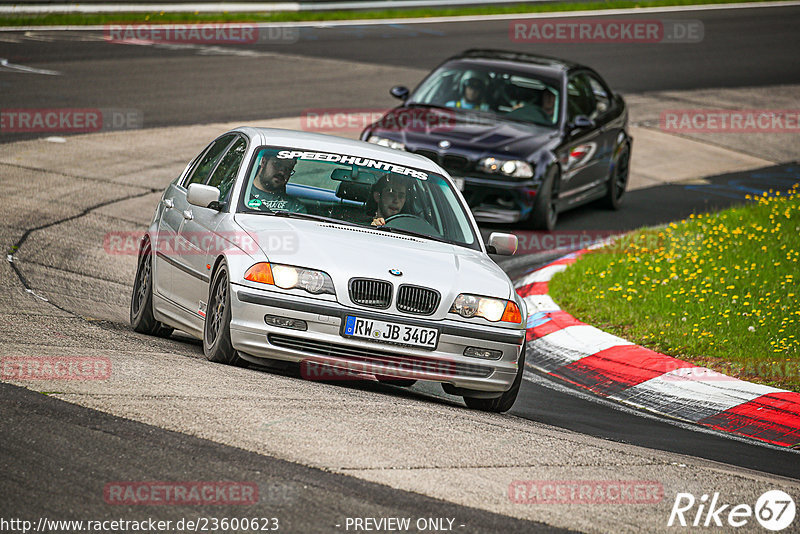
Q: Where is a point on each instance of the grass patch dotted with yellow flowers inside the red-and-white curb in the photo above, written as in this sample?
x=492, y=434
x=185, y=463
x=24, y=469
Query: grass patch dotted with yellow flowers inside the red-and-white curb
x=719, y=290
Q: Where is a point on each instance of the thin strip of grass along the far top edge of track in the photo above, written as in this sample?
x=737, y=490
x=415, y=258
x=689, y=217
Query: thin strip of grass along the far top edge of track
x=167, y=18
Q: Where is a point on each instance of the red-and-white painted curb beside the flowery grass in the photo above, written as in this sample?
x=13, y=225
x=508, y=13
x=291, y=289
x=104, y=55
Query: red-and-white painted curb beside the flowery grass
x=611, y=367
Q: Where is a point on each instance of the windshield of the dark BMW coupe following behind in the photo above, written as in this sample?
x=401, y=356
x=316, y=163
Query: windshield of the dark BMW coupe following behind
x=508, y=95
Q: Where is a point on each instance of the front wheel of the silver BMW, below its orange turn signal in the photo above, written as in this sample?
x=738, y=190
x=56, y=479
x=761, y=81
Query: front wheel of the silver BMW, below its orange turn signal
x=217, y=327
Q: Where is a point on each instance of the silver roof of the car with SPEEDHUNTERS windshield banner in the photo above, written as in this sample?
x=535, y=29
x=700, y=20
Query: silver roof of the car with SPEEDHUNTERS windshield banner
x=332, y=143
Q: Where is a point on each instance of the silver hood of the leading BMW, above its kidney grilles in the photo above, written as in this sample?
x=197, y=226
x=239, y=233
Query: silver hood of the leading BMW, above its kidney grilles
x=346, y=252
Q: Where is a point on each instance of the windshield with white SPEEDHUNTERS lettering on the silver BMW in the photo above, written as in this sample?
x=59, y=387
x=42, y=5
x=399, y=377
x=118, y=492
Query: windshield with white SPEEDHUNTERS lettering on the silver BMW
x=357, y=191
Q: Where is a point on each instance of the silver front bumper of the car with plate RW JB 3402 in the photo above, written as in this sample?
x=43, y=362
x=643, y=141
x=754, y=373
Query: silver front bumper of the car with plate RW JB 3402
x=322, y=342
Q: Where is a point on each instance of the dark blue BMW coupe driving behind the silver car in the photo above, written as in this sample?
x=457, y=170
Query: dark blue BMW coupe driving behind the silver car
x=524, y=136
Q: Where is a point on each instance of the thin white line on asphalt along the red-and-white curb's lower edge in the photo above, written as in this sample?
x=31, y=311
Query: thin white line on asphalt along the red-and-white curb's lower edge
x=539, y=380
